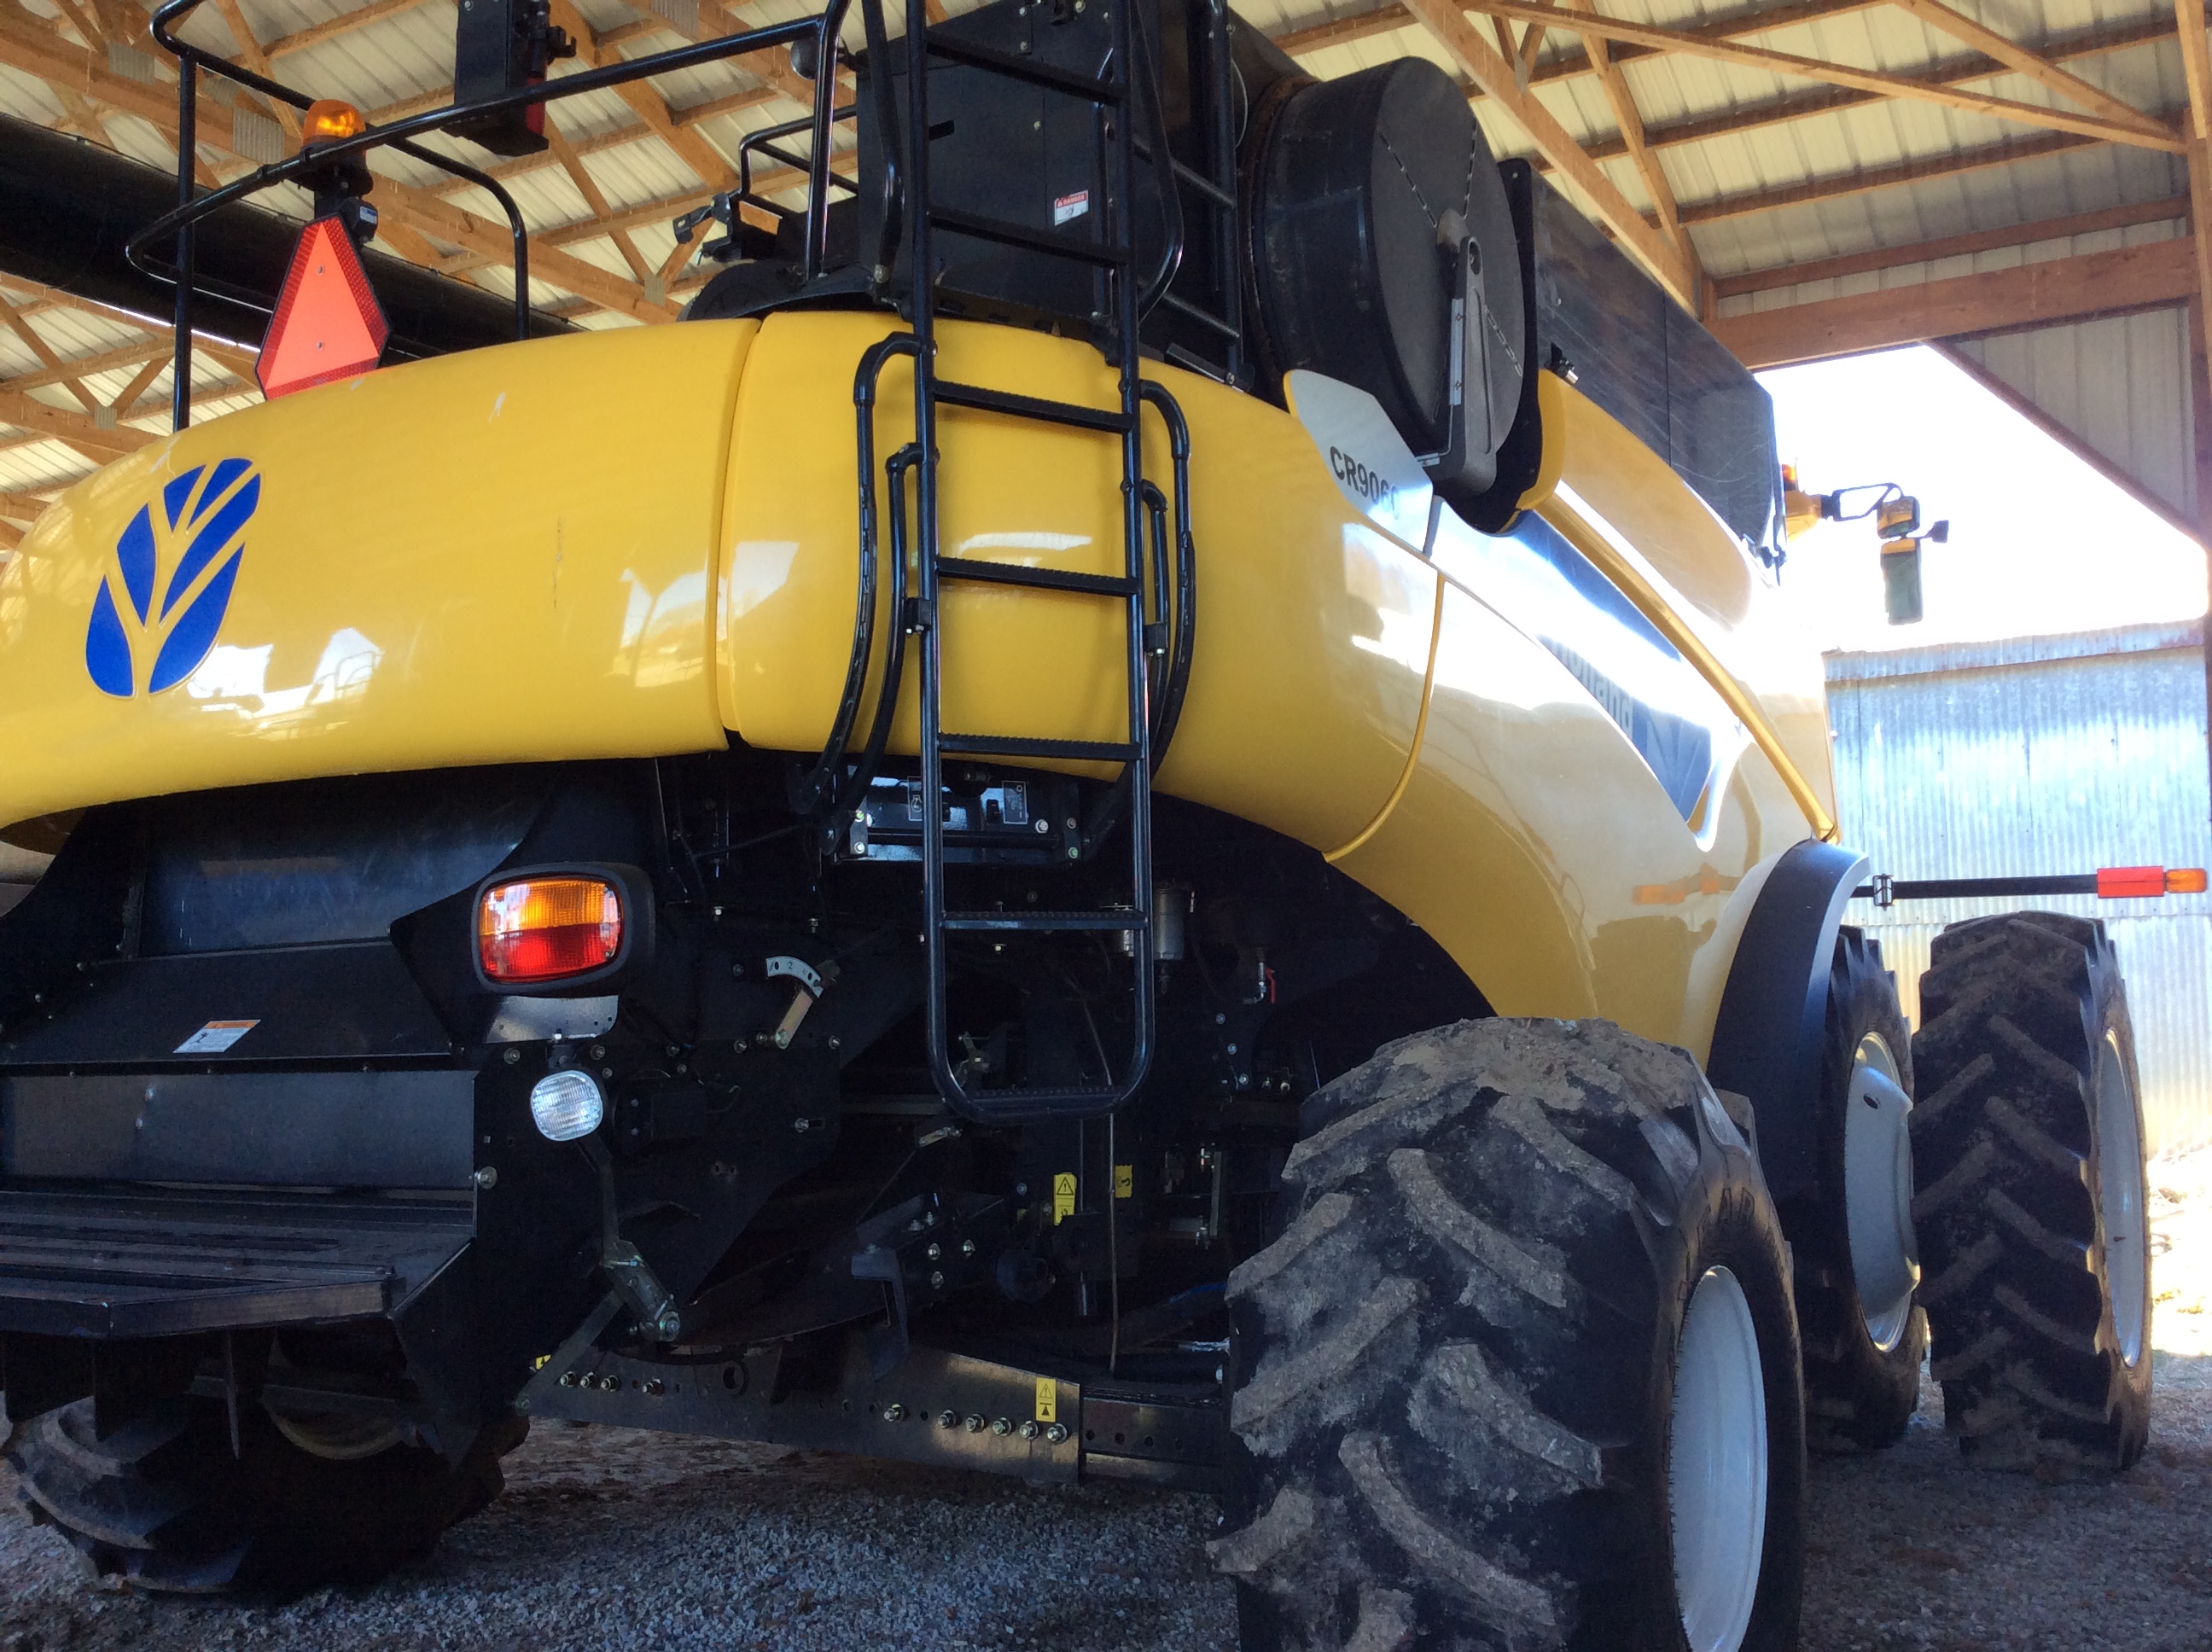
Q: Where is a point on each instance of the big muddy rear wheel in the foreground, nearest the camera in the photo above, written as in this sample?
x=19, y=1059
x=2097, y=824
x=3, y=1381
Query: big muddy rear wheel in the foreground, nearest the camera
x=1521, y=1368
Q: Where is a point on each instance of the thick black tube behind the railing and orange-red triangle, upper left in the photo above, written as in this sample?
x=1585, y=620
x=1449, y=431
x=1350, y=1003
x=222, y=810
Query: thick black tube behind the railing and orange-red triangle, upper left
x=67, y=209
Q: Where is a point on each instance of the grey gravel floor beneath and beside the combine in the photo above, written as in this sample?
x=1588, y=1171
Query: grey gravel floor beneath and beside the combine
x=627, y=1540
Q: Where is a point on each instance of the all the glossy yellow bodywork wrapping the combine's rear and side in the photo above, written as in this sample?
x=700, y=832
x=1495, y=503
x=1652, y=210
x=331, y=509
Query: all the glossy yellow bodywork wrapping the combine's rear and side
x=634, y=543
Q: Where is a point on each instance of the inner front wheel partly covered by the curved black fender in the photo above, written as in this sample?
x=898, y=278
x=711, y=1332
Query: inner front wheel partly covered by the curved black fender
x=1857, y=1259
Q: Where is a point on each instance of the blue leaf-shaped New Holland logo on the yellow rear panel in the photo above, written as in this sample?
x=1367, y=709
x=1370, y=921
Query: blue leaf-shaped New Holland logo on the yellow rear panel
x=196, y=541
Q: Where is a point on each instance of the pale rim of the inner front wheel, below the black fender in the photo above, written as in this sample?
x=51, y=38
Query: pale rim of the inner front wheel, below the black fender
x=1879, y=1193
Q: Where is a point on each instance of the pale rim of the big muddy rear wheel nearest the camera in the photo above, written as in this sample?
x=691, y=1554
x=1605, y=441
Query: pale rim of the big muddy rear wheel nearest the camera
x=1718, y=1465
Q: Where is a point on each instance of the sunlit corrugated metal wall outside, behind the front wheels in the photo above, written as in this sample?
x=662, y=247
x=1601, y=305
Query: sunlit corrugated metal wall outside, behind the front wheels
x=2045, y=755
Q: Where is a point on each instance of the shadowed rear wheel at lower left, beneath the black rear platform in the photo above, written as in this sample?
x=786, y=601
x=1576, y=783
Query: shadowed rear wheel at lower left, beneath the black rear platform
x=167, y=1507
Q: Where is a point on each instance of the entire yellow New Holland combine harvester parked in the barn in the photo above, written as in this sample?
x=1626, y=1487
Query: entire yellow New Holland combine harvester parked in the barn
x=1142, y=811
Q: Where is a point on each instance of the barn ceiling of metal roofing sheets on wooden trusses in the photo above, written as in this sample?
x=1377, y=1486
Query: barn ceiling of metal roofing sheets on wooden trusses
x=1813, y=178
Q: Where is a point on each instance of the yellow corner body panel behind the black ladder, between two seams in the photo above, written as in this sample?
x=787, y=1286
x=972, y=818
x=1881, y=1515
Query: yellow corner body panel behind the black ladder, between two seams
x=1313, y=625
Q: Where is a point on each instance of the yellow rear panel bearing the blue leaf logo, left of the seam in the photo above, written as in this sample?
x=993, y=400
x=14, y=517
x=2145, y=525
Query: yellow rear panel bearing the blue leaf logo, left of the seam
x=494, y=556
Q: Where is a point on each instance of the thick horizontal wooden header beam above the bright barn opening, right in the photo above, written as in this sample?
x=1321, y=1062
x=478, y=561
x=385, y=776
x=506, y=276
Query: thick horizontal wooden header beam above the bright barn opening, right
x=2032, y=295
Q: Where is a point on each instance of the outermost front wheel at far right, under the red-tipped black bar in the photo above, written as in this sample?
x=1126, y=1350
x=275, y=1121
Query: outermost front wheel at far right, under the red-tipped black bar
x=2032, y=1204
